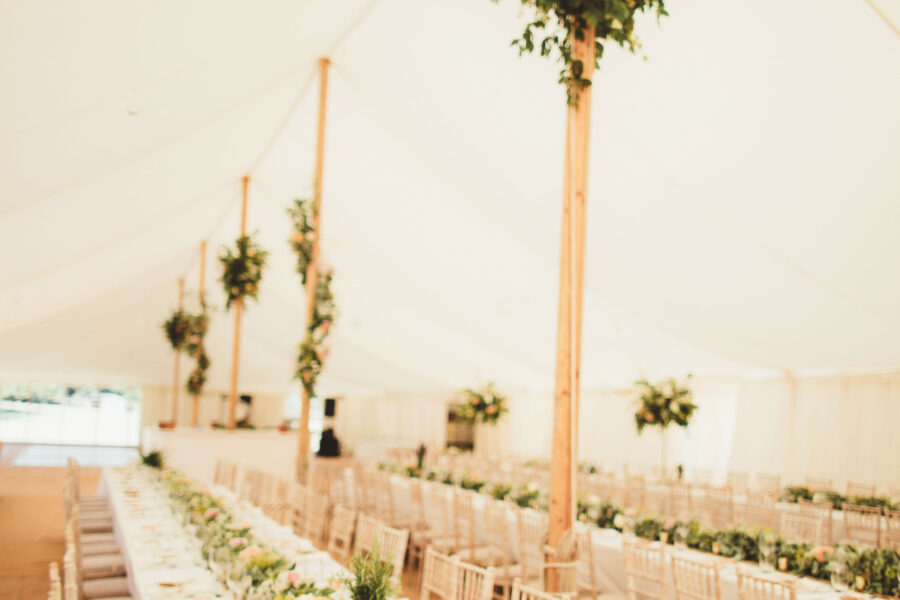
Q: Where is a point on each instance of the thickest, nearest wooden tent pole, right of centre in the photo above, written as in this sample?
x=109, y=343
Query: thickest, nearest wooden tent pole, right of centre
x=571, y=282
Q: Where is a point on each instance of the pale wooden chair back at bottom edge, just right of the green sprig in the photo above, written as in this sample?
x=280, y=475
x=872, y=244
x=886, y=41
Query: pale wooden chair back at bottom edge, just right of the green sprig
x=451, y=579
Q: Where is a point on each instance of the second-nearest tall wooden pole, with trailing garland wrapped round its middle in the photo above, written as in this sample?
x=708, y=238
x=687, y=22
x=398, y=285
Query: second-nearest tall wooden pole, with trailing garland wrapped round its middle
x=312, y=270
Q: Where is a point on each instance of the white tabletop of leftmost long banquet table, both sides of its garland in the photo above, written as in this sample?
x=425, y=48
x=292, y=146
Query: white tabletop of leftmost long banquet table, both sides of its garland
x=163, y=559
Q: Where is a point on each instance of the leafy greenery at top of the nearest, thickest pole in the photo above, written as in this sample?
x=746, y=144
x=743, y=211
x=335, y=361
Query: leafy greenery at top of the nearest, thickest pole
x=555, y=23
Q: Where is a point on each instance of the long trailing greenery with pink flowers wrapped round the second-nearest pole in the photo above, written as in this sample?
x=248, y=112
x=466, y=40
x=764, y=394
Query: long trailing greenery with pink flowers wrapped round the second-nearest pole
x=312, y=353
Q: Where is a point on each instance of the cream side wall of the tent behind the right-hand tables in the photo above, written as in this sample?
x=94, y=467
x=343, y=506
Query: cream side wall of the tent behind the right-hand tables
x=842, y=428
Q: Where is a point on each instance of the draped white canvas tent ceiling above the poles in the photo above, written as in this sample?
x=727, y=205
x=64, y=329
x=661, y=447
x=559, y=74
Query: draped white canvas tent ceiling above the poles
x=743, y=189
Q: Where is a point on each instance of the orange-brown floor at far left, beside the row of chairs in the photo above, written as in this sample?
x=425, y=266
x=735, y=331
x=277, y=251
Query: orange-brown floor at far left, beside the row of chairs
x=32, y=521
